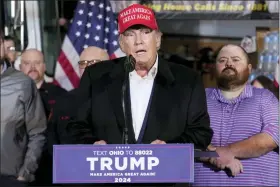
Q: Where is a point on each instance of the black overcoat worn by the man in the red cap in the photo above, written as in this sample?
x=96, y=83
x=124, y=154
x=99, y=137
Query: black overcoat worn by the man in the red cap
x=178, y=111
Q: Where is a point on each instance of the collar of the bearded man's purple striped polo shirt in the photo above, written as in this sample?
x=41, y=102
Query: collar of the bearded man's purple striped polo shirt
x=247, y=92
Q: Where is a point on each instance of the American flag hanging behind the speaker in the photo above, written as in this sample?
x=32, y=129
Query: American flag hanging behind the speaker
x=93, y=24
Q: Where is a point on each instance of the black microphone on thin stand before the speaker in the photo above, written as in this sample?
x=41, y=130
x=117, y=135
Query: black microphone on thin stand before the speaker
x=129, y=66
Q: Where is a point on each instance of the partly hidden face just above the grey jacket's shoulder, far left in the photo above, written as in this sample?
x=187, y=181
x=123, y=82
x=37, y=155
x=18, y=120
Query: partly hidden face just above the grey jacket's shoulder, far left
x=10, y=49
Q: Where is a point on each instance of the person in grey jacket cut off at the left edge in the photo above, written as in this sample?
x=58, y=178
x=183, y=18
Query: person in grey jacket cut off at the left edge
x=23, y=124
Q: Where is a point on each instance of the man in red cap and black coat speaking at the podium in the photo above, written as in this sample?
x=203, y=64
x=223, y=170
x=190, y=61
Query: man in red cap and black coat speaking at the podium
x=141, y=98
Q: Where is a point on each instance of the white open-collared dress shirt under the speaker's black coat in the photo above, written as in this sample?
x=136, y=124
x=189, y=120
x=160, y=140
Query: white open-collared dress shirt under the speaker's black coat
x=140, y=92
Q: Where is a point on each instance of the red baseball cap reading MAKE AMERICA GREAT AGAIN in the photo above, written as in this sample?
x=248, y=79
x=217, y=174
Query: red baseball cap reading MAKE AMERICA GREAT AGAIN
x=136, y=14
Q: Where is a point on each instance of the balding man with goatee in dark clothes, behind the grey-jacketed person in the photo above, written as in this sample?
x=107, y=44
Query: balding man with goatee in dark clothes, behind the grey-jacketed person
x=32, y=64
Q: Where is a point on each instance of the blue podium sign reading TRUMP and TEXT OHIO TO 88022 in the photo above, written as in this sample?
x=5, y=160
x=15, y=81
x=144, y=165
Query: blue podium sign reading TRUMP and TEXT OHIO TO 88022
x=132, y=163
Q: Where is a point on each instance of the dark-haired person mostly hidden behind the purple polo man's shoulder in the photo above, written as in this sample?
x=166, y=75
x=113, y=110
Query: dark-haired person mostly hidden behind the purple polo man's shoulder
x=264, y=82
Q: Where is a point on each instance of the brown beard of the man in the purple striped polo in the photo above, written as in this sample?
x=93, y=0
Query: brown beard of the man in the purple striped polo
x=227, y=81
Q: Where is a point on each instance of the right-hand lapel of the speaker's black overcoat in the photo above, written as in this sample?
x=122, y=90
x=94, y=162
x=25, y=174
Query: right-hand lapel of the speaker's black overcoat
x=161, y=102
